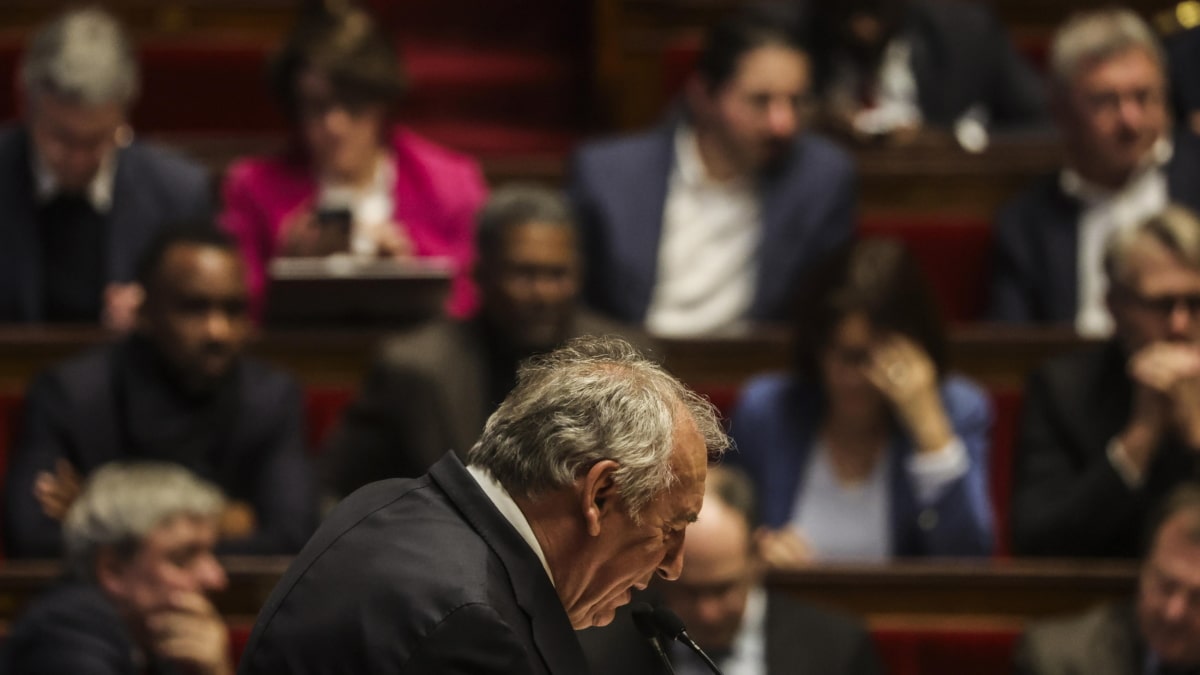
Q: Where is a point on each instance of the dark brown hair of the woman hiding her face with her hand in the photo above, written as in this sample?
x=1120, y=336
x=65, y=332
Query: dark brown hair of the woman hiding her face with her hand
x=878, y=278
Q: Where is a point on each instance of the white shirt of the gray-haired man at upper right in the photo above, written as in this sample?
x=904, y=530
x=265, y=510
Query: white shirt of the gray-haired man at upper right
x=1106, y=212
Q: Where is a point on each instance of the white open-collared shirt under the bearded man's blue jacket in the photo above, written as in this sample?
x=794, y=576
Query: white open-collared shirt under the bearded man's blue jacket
x=709, y=249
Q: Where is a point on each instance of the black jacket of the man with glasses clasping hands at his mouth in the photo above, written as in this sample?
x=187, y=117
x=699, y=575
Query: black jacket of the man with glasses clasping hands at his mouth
x=1069, y=500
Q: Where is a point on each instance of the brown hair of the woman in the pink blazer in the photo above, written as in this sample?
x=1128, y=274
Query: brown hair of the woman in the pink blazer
x=347, y=46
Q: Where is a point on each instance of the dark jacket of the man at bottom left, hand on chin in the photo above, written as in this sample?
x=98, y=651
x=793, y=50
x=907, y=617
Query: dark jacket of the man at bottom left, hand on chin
x=74, y=630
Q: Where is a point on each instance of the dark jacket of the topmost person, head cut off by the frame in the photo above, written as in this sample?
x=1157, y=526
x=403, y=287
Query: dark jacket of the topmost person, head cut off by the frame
x=962, y=57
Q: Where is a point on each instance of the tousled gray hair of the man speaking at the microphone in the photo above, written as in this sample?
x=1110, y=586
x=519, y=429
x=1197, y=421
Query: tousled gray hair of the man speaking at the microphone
x=593, y=399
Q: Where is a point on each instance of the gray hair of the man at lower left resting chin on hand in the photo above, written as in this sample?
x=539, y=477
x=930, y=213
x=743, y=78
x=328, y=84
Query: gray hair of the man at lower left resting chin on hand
x=123, y=503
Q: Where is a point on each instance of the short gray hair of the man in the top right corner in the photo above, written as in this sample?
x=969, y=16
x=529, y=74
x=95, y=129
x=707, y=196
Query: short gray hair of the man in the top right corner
x=1090, y=38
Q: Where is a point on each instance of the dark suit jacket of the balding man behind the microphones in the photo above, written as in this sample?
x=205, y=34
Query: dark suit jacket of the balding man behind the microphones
x=801, y=641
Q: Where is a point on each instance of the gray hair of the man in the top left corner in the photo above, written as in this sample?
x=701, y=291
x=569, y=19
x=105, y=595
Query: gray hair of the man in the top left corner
x=83, y=56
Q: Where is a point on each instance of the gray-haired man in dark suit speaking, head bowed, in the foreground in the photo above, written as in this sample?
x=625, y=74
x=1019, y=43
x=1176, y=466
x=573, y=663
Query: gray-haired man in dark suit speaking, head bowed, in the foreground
x=577, y=494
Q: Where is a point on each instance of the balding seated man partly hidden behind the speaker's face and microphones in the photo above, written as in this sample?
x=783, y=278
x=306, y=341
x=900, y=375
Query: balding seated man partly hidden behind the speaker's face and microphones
x=740, y=624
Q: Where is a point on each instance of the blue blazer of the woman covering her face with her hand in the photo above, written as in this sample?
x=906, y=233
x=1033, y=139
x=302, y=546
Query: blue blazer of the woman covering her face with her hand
x=775, y=425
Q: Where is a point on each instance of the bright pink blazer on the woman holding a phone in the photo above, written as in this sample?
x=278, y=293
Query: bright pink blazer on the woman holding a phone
x=437, y=194
